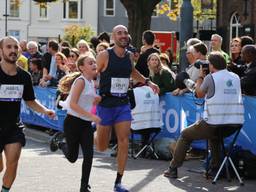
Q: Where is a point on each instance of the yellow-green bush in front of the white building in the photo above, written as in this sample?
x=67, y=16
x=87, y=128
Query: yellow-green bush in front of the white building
x=74, y=33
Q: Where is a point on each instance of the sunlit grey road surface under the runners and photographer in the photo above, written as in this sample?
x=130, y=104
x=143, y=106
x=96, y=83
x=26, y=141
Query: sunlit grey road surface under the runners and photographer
x=43, y=171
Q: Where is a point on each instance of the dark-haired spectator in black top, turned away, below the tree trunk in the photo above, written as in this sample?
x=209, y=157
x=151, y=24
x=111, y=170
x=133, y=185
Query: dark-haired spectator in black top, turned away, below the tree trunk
x=148, y=42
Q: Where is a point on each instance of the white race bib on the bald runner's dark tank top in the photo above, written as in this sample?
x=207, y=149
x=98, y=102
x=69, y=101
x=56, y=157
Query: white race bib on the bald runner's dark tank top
x=119, y=86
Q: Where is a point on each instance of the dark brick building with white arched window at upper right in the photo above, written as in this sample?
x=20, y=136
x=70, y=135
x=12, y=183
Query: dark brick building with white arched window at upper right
x=236, y=18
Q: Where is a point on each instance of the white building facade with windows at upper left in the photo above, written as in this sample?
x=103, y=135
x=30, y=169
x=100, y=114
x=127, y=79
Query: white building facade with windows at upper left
x=32, y=21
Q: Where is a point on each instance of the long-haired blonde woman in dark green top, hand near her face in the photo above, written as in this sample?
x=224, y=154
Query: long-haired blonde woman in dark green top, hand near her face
x=160, y=74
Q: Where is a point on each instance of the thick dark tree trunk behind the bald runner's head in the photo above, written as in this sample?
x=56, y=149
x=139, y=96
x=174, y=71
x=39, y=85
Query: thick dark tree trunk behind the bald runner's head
x=139, y=17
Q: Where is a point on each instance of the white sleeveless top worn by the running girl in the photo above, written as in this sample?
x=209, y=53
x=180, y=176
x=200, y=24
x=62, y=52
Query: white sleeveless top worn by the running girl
x=85, y=100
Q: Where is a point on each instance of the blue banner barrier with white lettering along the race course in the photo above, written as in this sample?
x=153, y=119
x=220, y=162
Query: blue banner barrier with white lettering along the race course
x=177, y=114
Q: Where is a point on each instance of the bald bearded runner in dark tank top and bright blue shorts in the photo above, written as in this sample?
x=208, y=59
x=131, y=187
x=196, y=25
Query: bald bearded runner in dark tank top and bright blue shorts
x=115, y=67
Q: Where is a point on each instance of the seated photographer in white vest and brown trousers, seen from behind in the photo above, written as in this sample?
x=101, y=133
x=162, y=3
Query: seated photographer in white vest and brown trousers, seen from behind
x=223, y=105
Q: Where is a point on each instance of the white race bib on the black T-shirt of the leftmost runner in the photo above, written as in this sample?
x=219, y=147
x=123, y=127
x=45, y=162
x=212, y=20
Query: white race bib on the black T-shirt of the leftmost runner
x=11, y=92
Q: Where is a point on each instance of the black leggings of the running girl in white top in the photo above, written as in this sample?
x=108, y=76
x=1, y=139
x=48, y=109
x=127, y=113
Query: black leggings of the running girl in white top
x=78, y=131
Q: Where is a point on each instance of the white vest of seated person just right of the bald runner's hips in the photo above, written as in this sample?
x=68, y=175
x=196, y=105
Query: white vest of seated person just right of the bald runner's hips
x=146, y=114
